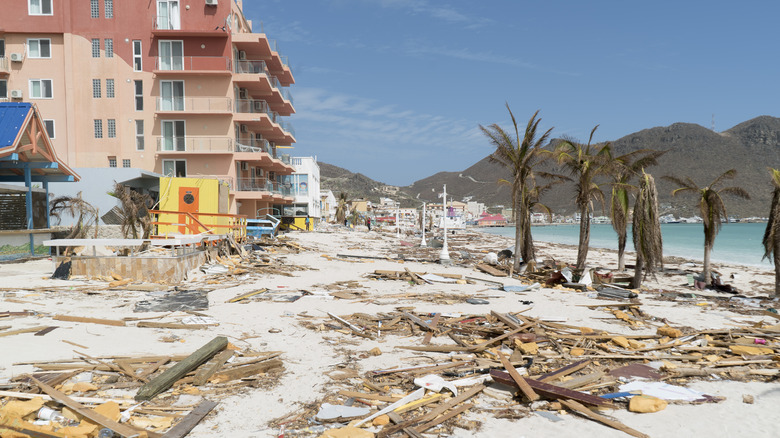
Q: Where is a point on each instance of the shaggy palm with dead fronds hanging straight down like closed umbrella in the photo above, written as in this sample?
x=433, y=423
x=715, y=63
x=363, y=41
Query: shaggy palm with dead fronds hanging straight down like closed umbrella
x=646, y=230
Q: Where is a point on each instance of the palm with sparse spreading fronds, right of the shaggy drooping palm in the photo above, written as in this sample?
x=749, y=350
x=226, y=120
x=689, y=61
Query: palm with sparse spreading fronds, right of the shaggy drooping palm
x=712, y=208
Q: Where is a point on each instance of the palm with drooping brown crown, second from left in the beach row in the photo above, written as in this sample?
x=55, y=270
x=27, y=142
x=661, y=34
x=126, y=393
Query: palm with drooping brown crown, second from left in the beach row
x=584, y=162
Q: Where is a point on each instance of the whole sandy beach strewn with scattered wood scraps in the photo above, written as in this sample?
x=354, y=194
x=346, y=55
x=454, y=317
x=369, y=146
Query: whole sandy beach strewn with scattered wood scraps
x=320, y=358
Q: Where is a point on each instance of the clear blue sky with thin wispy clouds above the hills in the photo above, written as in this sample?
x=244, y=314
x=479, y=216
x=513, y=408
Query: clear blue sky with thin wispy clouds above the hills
x=397, y=89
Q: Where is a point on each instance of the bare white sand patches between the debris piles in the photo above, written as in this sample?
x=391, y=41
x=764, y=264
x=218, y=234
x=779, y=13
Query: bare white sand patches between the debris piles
x=309, y=354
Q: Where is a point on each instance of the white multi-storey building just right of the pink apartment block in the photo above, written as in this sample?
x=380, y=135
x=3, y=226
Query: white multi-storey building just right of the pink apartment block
x=305, y=187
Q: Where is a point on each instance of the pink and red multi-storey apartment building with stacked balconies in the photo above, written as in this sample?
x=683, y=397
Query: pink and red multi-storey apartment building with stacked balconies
x=177, y=87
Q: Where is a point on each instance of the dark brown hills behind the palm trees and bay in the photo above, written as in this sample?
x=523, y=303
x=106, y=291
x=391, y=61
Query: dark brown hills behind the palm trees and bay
x=692, y=150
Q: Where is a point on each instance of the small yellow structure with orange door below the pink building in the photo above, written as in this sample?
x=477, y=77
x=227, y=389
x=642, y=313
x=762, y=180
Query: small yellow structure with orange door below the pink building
x=192, y=197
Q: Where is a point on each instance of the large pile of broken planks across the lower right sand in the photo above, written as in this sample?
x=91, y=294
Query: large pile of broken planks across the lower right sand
x=536, y=366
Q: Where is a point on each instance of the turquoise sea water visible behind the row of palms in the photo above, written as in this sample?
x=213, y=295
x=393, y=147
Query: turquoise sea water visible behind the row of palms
x=738, y=243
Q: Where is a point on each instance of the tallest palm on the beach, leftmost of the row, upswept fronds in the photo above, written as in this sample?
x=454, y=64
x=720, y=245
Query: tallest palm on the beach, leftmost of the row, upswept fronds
x=520, y=155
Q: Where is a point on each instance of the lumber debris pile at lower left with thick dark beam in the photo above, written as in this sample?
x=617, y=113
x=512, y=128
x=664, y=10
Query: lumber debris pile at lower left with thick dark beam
x=93, y=396
